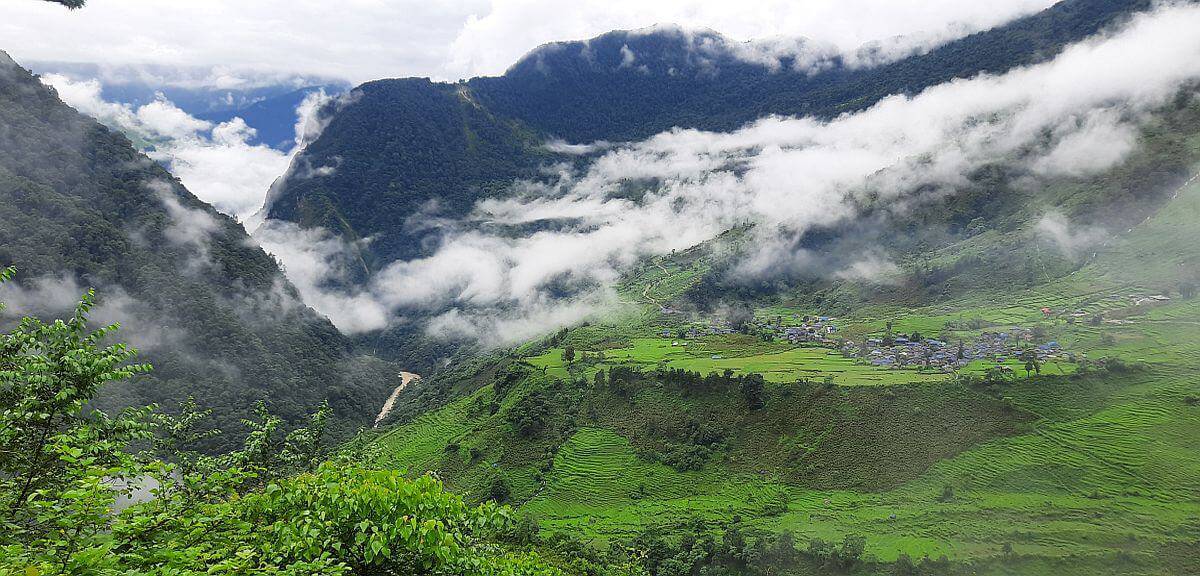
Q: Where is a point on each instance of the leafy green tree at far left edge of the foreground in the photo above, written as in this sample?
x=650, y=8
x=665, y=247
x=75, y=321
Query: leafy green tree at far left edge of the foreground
x=50, y=445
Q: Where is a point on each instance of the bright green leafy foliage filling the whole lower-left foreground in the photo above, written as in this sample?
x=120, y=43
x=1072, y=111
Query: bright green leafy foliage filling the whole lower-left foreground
x=272, y=507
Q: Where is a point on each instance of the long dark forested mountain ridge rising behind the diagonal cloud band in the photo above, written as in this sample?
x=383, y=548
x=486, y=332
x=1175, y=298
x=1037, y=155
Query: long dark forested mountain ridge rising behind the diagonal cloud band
x=415, y=149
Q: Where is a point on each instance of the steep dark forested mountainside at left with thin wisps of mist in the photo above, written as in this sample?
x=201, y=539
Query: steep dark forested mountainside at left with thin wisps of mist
x=212, y=311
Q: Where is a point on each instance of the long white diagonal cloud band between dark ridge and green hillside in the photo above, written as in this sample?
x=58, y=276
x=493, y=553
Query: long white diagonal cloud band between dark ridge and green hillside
x=784, y=176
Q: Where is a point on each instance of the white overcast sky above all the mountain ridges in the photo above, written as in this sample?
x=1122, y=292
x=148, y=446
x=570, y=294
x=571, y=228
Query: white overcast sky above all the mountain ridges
x=364, y=40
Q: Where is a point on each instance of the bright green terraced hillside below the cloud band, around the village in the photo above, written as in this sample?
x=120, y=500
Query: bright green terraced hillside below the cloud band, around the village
x=674, y=425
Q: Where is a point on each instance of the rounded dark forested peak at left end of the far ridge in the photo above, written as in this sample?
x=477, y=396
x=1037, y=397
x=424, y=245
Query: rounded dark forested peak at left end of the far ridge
x=401, y=151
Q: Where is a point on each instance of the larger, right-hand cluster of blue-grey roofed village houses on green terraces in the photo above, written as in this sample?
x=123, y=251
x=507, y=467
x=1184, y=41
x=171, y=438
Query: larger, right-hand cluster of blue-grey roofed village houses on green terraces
x=915, y=352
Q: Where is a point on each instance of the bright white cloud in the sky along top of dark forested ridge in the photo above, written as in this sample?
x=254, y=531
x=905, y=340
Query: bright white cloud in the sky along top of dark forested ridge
x=863, y=32
